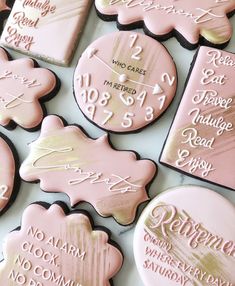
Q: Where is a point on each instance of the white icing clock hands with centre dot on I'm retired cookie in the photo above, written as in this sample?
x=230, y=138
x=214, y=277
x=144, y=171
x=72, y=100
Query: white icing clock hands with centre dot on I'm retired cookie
x=122, y=77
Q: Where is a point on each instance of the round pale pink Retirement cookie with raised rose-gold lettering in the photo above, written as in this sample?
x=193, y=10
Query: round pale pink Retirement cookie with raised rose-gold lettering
x=186, y=236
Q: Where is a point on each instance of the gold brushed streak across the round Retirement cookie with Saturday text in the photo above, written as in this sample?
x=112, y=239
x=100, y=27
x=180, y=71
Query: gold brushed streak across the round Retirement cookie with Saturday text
x=207, y=260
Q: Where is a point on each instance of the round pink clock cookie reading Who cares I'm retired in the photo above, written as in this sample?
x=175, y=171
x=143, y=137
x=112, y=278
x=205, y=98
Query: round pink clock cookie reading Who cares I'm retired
x=124, y=81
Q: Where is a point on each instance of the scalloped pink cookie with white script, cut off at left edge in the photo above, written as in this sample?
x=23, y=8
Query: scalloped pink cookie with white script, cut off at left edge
x=22, y=89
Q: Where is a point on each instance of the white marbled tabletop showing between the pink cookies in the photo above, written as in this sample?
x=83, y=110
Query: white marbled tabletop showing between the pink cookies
x=148, y=143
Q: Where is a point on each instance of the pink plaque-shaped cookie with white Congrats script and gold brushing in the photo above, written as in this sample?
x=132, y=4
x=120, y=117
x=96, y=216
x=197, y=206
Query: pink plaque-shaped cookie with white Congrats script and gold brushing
x=65, y=160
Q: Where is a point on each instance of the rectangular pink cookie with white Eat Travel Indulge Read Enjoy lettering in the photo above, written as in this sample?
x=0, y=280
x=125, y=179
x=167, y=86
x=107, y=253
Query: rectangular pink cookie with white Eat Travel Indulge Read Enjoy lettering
x=201, y=141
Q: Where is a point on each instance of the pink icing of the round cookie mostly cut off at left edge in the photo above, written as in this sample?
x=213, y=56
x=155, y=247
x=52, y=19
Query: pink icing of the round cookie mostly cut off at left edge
x=7, y=174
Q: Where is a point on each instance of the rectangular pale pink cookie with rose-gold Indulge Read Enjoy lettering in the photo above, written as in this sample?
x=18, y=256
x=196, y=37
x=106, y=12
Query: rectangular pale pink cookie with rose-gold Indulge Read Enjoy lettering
x=47, y=29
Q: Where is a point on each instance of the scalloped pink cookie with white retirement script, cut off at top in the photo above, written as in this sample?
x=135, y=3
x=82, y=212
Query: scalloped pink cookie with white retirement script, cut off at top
x=204, y=21
